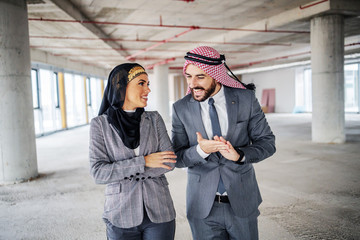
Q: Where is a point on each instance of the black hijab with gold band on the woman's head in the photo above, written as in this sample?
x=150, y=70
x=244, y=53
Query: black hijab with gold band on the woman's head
x=127, y=125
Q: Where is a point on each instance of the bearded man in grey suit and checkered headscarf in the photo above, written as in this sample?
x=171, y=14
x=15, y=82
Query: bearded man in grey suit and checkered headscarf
x=218, y=132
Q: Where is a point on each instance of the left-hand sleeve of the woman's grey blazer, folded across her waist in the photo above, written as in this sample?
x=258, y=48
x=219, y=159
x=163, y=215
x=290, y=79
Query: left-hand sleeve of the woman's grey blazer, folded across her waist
x=103, y=169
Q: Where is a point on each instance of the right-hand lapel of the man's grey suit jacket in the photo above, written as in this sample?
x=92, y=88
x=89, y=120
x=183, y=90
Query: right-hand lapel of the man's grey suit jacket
x=232, y=106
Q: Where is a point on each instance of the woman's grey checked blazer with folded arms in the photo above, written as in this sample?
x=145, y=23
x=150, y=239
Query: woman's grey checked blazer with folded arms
x=131, y=186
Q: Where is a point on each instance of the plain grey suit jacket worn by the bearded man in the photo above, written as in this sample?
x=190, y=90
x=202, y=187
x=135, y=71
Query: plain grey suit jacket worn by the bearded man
x=248, y=131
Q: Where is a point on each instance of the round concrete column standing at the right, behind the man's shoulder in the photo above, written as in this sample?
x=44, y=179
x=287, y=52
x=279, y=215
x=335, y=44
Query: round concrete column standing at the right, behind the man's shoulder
x=327, y=63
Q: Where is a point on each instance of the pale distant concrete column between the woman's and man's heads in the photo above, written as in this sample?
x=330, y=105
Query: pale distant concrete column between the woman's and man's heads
x=159, y=86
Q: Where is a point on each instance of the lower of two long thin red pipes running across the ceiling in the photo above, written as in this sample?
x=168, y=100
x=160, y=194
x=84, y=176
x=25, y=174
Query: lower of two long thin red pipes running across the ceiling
x=140, y=40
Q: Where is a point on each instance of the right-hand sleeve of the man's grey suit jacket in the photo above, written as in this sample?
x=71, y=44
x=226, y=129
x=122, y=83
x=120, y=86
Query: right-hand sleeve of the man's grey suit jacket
x=262, y=139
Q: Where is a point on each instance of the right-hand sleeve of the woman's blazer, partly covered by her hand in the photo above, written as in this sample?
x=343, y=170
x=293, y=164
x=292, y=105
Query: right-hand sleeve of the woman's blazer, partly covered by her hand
x=164, y=145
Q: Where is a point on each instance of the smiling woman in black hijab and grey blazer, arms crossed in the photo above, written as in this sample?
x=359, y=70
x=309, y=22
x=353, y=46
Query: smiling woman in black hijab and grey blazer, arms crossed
x=130, y=151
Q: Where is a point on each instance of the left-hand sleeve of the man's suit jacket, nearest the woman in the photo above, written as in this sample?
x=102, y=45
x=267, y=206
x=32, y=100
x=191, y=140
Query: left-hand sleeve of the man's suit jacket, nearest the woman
x=187, y=156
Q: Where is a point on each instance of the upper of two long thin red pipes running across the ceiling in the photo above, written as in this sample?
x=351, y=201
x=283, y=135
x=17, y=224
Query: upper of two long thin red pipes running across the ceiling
x=166, y=26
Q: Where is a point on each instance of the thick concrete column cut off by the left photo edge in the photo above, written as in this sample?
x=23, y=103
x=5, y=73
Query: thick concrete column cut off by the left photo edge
x=17, y=133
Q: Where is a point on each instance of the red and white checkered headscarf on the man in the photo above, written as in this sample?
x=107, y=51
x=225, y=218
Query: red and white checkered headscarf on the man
x=218, y=72
